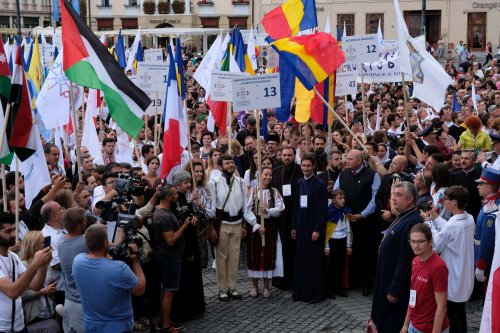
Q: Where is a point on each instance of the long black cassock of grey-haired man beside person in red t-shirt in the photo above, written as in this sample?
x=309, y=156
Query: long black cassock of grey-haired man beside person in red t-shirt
x=394, y=274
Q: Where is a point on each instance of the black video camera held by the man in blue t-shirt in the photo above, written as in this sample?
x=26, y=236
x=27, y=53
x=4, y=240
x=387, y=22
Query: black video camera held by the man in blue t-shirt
x=130, y=235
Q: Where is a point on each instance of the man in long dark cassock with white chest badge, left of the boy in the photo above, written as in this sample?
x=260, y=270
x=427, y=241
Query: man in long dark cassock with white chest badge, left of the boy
x=308, y=228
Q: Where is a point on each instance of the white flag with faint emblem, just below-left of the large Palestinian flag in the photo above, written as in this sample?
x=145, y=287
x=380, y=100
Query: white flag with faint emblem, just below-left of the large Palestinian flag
x=53, y=100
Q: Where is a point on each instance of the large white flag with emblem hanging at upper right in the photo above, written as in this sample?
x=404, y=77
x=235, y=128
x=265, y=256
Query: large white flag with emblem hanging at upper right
x=430, y=81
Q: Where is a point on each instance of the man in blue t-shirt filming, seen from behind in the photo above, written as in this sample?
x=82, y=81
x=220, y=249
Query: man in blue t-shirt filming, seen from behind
x=105, y=286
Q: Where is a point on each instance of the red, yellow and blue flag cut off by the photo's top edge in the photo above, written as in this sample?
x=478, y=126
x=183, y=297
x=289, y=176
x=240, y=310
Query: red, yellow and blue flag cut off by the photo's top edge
x=290, y=18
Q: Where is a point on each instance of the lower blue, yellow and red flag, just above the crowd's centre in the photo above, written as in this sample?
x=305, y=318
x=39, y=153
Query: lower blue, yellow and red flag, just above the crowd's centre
x=312, y=58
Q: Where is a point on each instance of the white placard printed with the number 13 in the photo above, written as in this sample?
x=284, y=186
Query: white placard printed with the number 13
x=256, y=92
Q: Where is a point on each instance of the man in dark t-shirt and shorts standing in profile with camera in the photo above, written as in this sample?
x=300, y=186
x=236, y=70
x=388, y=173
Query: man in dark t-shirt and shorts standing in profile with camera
x=170, y=236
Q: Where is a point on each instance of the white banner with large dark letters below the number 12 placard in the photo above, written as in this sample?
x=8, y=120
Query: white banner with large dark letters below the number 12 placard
x=386, y=69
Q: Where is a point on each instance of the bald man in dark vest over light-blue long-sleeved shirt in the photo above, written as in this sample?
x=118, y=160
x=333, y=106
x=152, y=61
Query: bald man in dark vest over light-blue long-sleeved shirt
x=360, y=185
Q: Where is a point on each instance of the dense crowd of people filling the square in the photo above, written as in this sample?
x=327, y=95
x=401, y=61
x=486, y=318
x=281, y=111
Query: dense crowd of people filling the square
x=406, y=211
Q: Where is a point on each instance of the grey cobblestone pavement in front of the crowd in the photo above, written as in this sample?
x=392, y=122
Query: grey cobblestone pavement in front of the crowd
x=280, y=314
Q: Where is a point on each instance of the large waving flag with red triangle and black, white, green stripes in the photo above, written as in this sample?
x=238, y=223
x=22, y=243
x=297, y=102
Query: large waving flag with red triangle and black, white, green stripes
x=88, y=63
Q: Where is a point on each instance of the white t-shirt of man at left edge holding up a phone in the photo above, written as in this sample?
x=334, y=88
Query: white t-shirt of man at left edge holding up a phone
x=5, y=301
